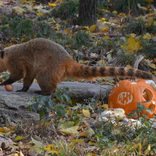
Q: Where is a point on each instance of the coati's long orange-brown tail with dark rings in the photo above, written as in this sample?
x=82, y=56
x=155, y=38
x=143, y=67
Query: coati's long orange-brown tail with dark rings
x=76, y=70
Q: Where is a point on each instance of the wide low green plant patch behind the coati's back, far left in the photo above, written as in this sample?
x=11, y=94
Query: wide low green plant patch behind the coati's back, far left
x=20, y=27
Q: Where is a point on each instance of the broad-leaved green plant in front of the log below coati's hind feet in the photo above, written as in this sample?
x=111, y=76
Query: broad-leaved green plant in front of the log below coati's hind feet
x=56, y=105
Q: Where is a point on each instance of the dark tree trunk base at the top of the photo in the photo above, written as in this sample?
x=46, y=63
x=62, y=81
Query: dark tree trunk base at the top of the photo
x=87, y=12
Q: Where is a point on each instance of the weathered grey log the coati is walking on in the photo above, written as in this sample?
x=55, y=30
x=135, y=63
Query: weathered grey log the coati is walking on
x=14, y=104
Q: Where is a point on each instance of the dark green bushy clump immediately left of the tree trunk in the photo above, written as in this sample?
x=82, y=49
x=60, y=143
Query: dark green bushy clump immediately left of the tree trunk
x=66, y=9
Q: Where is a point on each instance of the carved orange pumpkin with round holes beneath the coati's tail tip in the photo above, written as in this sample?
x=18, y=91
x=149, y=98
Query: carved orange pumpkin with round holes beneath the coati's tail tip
x=127, y=93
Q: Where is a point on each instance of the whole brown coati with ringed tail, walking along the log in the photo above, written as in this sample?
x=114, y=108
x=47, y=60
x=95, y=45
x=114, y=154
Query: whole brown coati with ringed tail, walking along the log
x=50, y=64
